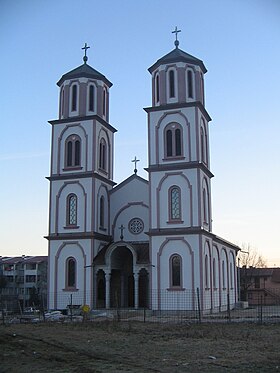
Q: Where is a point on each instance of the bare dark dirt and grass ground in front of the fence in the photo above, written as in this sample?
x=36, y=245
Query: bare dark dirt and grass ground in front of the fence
x=139, y=347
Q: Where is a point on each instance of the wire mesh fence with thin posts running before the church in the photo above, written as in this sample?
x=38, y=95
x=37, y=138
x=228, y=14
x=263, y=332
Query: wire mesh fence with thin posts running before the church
x=164, y=306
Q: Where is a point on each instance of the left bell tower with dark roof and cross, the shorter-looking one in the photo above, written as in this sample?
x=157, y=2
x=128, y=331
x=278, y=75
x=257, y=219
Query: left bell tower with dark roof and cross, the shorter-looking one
x=81, y=177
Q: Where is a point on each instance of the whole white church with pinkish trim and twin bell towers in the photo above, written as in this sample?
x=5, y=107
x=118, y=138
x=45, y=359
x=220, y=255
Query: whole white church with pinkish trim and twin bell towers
x=141, y=243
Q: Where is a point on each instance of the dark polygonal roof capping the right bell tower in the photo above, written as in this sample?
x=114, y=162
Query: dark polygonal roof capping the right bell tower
x=177, y=55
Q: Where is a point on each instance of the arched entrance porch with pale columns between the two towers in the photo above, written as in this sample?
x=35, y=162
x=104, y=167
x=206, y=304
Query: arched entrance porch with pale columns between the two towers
x=121, y=275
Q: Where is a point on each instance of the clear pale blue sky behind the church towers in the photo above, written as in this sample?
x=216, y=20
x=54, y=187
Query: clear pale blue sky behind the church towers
x=238, y=41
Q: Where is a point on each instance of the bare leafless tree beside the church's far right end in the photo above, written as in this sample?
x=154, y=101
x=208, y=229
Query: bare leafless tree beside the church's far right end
x=248, y=260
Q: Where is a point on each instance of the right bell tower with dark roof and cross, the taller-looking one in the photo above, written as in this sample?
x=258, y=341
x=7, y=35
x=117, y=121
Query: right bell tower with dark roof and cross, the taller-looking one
x=179, y=168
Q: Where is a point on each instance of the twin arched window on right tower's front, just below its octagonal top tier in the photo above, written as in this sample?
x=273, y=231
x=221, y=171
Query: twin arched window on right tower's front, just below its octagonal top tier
x=173, y=140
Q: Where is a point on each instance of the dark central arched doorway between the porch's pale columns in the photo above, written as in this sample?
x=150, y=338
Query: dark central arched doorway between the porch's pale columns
x=122, y=279
